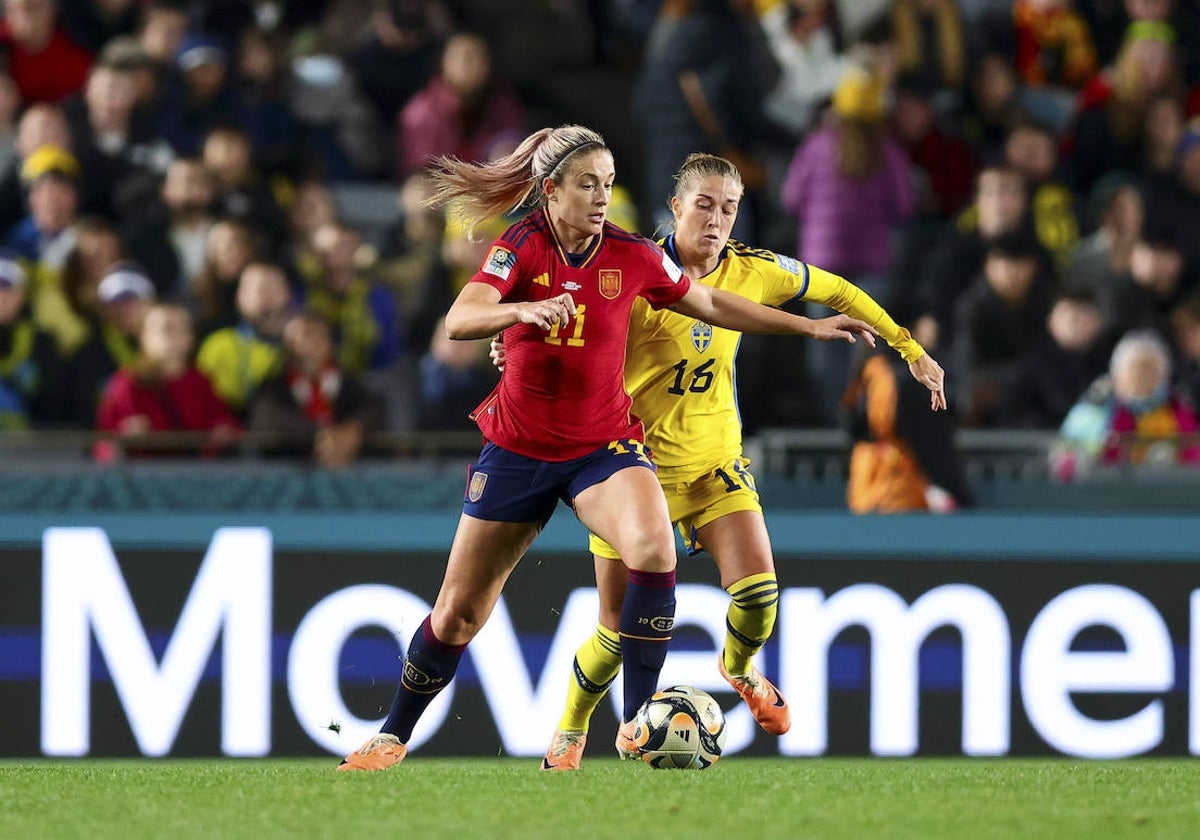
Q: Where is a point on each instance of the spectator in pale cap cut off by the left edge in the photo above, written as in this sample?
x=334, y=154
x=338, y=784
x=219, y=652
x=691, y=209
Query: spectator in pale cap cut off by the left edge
x=34, y=389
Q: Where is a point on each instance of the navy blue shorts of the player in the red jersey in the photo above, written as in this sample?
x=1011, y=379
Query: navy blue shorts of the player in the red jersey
x=503, y=487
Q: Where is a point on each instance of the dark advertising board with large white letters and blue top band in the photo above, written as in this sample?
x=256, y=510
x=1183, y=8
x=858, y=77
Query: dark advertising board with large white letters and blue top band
x=256, y=635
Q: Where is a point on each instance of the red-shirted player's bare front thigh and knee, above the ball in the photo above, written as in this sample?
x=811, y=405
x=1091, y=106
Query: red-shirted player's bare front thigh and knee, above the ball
x=629, y=513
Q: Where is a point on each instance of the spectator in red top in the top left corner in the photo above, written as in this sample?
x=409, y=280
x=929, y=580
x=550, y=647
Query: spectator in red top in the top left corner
x=45, y=63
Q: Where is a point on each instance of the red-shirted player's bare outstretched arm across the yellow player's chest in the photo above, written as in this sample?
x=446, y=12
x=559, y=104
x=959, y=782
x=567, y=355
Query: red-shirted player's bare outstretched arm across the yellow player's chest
x=735, y=313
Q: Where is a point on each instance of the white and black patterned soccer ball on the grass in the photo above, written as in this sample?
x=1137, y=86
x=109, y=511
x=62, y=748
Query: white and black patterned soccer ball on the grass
x=680, y=729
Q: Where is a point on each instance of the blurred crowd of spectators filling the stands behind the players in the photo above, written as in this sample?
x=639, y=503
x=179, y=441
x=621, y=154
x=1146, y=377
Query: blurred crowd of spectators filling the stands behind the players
x=212, y=211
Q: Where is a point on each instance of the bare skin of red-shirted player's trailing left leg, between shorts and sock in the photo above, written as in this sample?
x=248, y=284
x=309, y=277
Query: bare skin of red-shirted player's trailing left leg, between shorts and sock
x=482, y=559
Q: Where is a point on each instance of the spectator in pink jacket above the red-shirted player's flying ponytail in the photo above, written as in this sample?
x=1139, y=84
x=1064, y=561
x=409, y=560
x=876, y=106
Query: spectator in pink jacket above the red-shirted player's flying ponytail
x=465, y=111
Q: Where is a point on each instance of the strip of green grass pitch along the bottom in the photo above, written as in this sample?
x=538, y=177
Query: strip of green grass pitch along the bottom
x=467, y=799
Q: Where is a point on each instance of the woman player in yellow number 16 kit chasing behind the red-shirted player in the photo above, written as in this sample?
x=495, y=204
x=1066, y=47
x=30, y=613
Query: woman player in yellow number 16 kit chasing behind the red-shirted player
x=680, y=373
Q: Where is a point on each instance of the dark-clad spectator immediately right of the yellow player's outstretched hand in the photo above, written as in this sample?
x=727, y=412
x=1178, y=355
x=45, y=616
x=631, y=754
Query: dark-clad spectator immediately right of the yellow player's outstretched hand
x=999, y=321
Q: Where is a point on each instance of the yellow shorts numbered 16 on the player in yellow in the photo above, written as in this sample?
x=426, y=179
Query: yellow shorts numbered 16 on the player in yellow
x=700, y=500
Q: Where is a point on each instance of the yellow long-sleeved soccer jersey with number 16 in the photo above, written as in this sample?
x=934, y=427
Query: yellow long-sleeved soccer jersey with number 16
x=681, y=371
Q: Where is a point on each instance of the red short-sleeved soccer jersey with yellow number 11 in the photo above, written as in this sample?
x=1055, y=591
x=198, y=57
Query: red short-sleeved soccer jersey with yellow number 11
x=563, y=392
